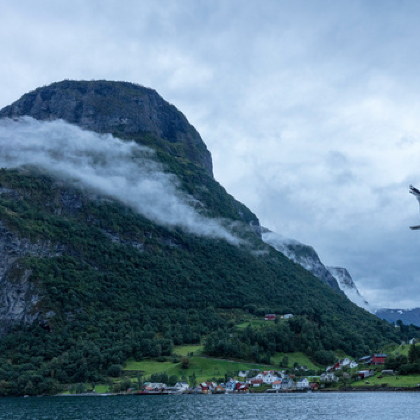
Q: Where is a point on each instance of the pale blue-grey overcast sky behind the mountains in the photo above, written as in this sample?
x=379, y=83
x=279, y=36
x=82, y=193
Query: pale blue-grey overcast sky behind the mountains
x=311, y=109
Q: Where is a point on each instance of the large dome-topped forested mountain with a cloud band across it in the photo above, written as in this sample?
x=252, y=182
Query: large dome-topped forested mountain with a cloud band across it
x=117, y=242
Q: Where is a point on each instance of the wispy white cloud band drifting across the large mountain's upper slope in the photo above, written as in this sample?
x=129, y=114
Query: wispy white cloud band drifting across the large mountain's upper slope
x=123, y=170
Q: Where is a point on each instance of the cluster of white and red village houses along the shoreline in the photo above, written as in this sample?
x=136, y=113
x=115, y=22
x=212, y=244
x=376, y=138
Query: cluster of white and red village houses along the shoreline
x=271, y=381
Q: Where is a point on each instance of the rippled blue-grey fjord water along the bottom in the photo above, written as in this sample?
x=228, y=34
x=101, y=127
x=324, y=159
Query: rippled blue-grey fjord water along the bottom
x=340, y=406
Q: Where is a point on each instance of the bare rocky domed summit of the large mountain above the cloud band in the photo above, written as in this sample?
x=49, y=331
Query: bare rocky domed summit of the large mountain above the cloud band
x=127, y=110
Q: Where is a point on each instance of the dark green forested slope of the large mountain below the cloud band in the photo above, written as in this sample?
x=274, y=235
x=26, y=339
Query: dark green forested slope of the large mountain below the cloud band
x=108, y=299
